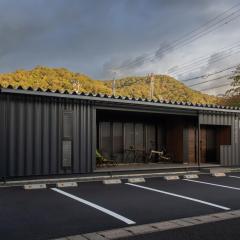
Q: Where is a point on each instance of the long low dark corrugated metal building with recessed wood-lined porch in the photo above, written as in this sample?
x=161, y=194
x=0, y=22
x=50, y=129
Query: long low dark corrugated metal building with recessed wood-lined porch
x=52, y=133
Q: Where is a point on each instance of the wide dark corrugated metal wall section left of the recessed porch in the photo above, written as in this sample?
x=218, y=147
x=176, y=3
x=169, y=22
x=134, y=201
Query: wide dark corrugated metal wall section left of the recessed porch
x=33, y=135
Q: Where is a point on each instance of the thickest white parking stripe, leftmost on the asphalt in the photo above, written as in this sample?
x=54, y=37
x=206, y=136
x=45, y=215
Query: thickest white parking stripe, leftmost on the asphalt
x=93, y=205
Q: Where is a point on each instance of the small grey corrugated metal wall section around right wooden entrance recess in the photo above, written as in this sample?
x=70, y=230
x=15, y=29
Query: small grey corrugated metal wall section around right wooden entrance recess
x=229, y=154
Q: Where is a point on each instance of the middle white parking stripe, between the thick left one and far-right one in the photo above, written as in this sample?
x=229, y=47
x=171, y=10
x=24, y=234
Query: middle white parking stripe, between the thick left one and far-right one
x=180, y=196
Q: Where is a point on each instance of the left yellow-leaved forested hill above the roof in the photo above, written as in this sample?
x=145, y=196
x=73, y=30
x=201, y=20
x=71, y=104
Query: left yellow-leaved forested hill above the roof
x=52, y=78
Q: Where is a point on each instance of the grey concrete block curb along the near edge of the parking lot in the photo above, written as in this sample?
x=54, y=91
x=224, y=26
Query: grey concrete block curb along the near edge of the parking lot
x=155, y=227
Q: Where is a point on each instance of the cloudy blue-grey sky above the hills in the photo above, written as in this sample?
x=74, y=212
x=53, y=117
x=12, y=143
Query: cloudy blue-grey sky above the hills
x=110, y=38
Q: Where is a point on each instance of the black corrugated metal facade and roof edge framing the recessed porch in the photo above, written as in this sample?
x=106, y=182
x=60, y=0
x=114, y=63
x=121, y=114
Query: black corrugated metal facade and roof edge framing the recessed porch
x=52, y=133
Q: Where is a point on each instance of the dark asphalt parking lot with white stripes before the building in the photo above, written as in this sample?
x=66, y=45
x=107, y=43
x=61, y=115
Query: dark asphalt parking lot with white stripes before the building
x=53, y=213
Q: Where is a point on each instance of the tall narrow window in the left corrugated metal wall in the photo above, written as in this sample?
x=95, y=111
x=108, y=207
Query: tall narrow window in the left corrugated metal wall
x=67, y=135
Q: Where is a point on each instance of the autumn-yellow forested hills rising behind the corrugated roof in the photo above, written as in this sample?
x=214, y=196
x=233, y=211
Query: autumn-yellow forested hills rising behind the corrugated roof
x=60, y=79
